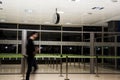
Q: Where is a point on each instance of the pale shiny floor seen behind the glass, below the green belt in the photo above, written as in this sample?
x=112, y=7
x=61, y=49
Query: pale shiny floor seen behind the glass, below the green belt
x=56, y=68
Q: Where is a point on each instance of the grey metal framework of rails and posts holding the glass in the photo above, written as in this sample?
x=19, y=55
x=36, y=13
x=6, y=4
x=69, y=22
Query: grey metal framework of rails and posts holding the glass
x=91, y=44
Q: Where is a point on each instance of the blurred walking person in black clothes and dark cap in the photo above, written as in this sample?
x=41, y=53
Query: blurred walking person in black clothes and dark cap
x=31, y=50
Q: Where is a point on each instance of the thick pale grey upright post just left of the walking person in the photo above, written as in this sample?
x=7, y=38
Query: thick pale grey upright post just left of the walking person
x=24, y=34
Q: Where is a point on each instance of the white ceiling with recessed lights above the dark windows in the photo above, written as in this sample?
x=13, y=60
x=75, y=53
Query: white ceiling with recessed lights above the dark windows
x=72, y=12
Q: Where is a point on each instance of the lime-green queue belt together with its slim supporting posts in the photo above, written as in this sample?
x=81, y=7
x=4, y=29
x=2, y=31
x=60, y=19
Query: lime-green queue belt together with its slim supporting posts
x=50, y=58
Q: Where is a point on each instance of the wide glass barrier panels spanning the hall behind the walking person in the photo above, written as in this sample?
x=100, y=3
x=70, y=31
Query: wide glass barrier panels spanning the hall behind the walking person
x=80, y=47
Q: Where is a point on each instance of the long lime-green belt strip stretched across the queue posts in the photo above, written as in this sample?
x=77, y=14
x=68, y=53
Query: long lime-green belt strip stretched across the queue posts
x=2, y=56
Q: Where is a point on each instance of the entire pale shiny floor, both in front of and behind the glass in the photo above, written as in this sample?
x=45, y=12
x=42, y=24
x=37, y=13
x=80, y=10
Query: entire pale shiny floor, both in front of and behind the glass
x=77, y=72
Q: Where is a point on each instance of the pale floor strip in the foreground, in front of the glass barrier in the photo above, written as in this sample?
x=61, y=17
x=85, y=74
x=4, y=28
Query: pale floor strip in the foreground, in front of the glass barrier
x=57, y=77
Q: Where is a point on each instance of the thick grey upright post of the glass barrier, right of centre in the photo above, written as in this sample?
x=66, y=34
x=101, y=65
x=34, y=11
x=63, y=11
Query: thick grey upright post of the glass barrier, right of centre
x=92, y=53
